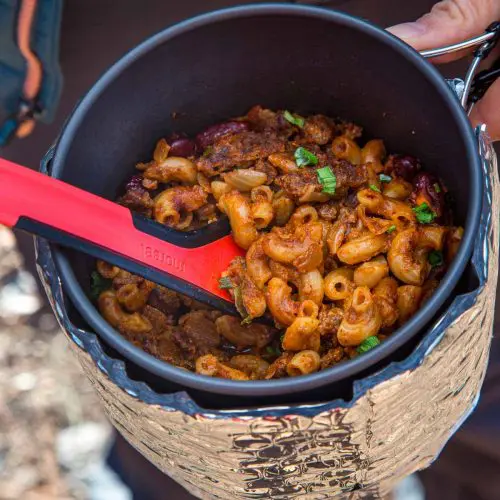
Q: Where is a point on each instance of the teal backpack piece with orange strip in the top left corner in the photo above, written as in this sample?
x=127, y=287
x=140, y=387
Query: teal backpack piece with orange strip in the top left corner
x=30, y=75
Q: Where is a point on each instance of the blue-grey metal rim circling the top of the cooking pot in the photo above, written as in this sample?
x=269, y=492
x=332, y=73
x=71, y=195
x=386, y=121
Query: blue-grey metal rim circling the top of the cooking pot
x=337, y=372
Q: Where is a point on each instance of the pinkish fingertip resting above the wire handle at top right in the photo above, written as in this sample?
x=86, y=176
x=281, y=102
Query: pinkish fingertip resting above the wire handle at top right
x=449, y=22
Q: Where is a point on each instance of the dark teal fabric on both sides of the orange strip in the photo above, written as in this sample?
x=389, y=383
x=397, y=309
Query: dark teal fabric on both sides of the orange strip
x=45, y=43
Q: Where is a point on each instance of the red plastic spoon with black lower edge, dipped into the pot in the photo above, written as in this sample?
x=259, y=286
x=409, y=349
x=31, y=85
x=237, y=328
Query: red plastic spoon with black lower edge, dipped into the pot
x=66, y=214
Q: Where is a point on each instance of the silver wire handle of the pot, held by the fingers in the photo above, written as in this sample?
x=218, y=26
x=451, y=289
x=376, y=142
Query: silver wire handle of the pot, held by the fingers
x=474, y=86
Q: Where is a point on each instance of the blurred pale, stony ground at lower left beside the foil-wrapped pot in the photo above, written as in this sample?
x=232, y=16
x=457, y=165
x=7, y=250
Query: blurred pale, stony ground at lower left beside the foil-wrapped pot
x=53, y=434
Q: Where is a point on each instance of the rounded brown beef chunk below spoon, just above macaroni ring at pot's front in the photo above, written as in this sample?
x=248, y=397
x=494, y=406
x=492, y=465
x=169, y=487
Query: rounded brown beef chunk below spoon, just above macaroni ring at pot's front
x=197, y=334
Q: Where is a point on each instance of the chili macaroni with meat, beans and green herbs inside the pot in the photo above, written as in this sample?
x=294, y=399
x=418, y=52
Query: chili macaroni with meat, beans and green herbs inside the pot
x=333, y=256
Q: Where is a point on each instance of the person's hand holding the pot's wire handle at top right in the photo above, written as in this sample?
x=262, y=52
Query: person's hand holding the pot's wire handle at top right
x=452, y=21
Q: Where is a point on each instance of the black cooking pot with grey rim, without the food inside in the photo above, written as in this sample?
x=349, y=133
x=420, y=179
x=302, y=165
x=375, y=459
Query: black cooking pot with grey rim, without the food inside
x=216, y=66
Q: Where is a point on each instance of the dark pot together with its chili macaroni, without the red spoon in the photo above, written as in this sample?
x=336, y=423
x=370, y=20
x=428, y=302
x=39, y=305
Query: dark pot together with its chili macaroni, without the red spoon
x=334, y=150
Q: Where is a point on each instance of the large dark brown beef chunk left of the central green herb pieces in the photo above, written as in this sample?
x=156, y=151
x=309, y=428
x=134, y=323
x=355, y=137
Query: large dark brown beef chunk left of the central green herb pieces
x=239, y=150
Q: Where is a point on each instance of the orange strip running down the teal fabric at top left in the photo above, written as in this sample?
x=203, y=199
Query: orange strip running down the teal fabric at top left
x=34, y=72
